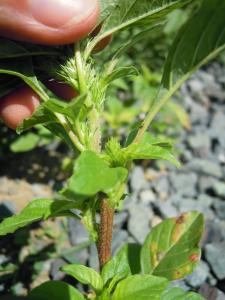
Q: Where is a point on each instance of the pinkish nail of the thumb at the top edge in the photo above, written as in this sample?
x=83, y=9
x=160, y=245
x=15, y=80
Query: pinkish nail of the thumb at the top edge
x=56, y=13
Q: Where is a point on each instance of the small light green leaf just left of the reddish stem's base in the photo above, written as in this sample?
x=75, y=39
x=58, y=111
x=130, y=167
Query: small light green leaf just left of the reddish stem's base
x=85, y=275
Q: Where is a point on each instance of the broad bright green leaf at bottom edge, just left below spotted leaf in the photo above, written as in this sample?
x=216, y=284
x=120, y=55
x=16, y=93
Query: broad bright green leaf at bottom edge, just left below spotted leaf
x=141, y=287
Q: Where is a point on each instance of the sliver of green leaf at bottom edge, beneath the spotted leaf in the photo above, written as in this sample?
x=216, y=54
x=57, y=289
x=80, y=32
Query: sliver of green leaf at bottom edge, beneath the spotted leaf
x=179, y=294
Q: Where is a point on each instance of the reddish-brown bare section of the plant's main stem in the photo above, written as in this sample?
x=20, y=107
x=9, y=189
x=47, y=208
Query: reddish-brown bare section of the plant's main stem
x=105, y=232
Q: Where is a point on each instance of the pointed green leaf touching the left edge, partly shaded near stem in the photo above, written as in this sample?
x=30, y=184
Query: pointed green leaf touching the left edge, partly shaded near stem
x=35, y=211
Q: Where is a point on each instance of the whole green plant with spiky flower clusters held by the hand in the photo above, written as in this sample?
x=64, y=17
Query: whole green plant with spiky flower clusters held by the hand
x=101, y=170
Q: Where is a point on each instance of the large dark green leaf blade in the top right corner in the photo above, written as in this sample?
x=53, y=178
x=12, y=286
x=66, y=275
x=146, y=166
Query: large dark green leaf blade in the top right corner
x=200, y=39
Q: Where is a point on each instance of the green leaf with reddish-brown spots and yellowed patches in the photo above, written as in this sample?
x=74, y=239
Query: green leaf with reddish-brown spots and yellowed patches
x=171, y=249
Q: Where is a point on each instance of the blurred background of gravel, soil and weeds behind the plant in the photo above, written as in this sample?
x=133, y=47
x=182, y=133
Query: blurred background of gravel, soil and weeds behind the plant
x=36, y=164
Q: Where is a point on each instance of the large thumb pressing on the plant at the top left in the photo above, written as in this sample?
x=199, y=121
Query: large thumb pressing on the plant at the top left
x=51, y=22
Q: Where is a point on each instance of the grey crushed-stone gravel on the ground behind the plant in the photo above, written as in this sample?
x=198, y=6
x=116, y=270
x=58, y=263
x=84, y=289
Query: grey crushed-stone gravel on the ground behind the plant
x=159, y=193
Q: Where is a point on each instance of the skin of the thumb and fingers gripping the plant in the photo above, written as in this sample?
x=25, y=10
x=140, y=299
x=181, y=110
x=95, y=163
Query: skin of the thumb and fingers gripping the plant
x=49, y=22
